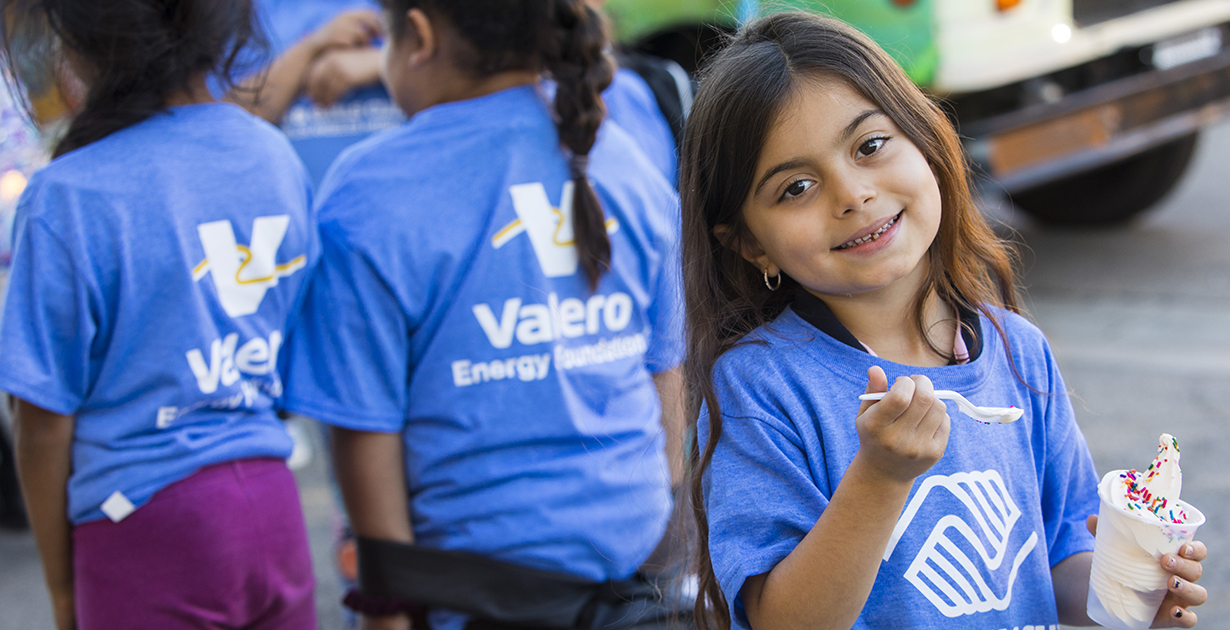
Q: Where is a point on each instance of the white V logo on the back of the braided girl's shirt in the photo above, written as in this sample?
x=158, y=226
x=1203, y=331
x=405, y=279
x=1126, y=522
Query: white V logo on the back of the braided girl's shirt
x=549, y=228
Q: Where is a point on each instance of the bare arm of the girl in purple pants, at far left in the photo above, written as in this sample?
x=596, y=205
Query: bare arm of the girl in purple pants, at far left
x=45, y=461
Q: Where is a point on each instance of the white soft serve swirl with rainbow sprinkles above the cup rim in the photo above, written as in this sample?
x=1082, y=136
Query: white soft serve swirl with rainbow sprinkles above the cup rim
x=1156, y=493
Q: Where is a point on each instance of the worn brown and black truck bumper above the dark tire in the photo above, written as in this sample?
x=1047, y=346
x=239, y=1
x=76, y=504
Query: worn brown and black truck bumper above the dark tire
x=1100, y=126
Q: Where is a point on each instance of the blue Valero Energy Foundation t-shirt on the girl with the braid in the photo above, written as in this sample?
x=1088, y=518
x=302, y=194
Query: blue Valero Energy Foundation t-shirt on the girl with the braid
x=450, y=307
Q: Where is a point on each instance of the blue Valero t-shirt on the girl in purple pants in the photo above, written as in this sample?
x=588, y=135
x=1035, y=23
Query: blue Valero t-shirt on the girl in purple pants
x=153, y=276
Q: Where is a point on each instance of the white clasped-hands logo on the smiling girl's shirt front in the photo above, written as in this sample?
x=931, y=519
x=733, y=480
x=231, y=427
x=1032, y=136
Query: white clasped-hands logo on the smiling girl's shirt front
x=964, y=589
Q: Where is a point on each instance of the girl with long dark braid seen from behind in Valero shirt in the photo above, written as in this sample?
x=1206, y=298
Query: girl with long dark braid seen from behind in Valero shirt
x=494, y=330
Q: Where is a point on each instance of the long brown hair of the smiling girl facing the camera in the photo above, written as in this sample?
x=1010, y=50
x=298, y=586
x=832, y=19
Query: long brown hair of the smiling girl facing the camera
x=744, y=90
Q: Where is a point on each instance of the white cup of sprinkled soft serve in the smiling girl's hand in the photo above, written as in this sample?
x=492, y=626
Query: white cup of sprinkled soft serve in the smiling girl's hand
x=1140, y=520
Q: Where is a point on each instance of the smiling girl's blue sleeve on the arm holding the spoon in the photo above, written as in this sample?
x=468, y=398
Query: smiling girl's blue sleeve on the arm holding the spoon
x=761, y=500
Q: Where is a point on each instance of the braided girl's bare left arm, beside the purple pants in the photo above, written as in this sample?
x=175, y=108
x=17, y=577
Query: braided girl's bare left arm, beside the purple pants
x=372, y=474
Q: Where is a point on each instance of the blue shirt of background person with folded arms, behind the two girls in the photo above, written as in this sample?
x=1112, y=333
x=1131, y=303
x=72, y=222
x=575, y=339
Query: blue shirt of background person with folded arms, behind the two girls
x=318, y=134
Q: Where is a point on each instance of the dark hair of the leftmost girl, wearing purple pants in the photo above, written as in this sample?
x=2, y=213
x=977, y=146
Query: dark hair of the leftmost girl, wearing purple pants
x=137, y=54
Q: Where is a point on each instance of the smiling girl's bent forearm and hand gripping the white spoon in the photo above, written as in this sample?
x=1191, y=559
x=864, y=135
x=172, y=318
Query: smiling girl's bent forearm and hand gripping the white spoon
x=826, y=581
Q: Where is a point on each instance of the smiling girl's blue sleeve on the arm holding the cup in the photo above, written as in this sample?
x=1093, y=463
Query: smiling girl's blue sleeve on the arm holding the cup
x=1069, y=483
